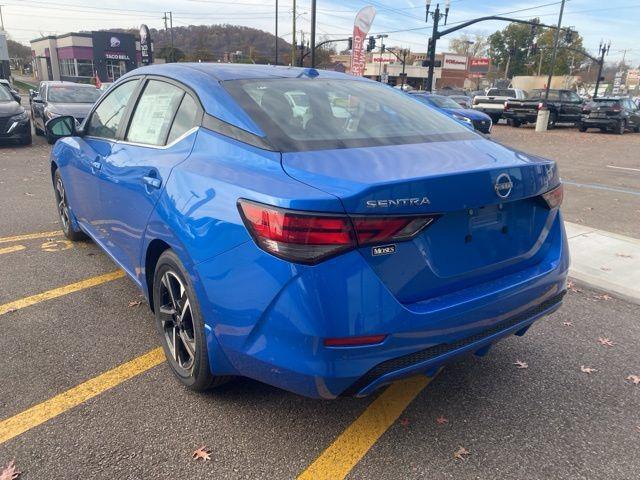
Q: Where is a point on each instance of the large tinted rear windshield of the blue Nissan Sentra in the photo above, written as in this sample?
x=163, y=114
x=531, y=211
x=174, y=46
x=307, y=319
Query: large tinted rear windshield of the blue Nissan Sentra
x=313, y=114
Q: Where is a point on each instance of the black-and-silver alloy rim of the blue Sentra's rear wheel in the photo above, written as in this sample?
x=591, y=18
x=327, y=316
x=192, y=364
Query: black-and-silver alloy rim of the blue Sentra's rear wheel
x=176, y=318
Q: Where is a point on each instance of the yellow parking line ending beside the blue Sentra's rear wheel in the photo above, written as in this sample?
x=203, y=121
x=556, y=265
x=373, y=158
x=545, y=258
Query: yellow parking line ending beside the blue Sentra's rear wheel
x=38, y=414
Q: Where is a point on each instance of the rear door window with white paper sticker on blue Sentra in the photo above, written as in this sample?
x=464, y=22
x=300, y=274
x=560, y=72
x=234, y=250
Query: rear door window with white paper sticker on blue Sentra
x=154, y=113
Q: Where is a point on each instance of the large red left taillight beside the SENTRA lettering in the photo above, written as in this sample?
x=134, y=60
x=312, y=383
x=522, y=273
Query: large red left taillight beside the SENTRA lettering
x=308, y=237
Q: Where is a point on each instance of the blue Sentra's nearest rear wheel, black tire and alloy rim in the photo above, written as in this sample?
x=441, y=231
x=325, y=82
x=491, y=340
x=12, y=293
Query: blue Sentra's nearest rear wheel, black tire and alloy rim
x=191, y=363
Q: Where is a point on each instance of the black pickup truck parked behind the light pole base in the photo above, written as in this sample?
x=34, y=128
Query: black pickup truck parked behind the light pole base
x=565, y=106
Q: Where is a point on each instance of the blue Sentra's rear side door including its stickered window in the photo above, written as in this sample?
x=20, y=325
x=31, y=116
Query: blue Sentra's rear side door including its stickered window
x=160, y=134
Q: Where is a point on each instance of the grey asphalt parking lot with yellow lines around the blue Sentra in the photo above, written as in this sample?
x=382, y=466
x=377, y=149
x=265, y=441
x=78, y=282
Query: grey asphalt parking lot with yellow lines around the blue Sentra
x=85, y=393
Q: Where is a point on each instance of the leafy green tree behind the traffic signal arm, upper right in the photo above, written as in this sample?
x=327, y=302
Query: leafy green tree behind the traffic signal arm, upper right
x=512, y=46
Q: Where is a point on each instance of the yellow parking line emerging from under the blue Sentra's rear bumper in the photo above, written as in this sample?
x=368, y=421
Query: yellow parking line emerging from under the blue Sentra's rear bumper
x=348, y=449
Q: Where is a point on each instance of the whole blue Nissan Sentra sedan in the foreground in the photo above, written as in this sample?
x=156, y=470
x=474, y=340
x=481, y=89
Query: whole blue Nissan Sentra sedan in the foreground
x=312, y=230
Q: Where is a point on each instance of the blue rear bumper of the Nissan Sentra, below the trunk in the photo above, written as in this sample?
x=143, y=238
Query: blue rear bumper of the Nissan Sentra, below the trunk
x=269, y=318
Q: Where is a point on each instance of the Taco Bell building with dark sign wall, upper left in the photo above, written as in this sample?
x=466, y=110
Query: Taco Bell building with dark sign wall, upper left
x=77, y=57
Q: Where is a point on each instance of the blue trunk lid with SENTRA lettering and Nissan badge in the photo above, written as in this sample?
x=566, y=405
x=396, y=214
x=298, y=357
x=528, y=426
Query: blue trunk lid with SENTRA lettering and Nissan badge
x=487, y=197
